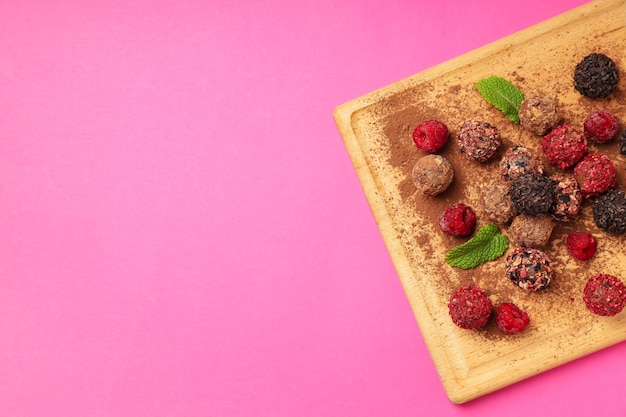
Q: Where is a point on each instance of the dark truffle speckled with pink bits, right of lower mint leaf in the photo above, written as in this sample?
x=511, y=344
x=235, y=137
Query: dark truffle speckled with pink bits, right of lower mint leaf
x=529, y=268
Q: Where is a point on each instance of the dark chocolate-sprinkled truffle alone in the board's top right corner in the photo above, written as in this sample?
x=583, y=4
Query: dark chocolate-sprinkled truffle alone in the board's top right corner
x=596, y=76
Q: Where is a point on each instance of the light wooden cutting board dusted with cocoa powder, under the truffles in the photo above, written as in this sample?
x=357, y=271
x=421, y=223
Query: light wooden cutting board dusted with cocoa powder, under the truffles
x=376, y=130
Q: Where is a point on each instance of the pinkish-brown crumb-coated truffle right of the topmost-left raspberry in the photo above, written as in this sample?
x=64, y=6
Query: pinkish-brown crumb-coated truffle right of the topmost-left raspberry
x=478, y=141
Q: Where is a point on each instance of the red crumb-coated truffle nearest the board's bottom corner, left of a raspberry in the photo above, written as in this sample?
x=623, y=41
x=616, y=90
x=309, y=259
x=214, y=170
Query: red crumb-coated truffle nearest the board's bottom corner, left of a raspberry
x=469, y=307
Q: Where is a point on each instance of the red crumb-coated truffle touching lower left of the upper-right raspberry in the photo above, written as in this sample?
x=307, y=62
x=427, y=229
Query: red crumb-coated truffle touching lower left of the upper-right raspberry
x=564, y=146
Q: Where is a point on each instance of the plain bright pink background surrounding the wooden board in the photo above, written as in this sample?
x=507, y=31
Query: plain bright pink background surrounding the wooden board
x=183, y=232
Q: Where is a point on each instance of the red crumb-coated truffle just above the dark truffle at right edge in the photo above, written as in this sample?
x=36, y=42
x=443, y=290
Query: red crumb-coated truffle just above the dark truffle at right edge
x=595, y=174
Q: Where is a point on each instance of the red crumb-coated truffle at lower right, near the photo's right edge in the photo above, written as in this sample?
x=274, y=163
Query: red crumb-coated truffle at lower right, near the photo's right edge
x=605, y=295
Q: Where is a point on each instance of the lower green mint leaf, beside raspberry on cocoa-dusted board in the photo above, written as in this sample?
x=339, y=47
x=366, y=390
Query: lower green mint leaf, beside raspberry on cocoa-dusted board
x=487, y=245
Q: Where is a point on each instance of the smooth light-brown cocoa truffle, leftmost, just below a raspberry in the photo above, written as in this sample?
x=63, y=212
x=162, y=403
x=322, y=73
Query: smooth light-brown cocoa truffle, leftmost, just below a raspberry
x=432, y=174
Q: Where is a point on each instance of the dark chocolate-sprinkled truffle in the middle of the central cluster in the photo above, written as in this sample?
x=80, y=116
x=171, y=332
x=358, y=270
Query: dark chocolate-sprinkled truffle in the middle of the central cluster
x=532, y=193
